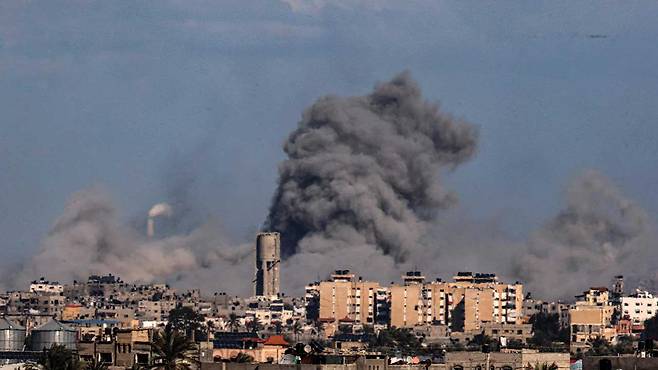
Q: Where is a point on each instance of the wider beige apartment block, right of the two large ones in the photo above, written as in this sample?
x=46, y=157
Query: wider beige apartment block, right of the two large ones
x=463, y=304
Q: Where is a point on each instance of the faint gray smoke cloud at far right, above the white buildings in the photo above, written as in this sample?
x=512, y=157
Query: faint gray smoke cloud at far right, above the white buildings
x=600, y=233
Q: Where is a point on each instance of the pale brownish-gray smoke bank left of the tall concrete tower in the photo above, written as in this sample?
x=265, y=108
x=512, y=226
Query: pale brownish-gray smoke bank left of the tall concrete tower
x=88, y=238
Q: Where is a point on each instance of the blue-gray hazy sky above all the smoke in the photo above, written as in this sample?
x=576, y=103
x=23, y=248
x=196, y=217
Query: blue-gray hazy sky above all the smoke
x=148, y=97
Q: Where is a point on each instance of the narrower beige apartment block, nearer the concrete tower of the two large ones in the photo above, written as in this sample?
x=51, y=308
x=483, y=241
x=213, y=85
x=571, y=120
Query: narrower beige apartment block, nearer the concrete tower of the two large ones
x=345, y=296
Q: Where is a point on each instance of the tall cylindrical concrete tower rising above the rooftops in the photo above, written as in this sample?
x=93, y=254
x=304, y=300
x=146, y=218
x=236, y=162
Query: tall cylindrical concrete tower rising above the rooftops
x=268, y=258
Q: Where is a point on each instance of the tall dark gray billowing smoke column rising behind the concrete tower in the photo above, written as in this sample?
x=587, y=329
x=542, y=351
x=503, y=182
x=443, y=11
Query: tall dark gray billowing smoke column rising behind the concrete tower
x=363, y=173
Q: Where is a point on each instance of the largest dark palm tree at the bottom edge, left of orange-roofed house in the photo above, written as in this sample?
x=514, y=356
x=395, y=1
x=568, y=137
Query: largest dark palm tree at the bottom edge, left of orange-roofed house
x=172, y=350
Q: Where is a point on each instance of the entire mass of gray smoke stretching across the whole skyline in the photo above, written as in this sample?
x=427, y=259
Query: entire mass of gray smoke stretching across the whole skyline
x=361, y=189
